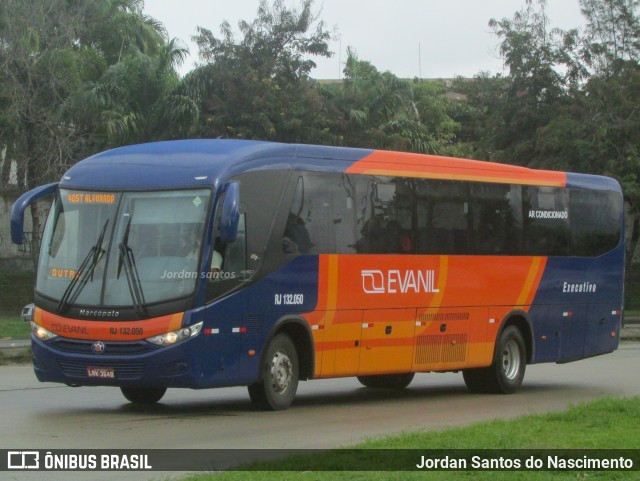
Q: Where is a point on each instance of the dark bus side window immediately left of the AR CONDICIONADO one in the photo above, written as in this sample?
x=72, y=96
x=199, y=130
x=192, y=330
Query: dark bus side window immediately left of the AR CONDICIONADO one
x=497, y=219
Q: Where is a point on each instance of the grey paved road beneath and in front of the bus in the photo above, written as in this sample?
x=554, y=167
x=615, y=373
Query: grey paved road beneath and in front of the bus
x=326, y=413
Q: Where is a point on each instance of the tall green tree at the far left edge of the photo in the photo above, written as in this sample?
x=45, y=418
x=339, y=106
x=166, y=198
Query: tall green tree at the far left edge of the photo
x=39, y=67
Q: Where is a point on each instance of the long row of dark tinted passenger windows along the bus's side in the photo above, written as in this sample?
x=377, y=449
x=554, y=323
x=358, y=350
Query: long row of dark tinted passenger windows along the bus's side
x=337, y=213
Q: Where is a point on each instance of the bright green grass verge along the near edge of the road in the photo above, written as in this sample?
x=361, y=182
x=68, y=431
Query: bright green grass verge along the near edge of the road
x=609, y=423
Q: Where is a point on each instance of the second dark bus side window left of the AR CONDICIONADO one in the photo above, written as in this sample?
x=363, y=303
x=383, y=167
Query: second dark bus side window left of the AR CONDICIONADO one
x=443, y=216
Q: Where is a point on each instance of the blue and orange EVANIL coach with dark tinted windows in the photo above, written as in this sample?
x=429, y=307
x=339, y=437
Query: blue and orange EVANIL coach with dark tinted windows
x=210, y=263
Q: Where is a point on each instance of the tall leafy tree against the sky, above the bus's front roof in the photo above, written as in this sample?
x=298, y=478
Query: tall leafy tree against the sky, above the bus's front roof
x=258, y=86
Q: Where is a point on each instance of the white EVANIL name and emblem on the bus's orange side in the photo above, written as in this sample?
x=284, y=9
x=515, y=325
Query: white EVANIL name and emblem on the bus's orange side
x=395, y=281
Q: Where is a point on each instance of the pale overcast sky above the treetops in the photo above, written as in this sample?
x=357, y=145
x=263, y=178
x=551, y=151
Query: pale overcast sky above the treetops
x=410, y=38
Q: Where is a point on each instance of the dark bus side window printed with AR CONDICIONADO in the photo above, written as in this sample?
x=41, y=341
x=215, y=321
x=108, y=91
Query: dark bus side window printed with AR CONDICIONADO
x=546, y=221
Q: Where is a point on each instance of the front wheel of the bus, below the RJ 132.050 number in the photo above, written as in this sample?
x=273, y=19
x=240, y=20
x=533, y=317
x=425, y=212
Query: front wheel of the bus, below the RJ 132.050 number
x=279, y=378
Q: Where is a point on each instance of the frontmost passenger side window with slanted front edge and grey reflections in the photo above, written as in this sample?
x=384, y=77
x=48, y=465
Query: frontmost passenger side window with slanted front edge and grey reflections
x=321, y=216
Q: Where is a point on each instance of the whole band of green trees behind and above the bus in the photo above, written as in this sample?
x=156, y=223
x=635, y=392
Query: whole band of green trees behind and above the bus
x=79, y=77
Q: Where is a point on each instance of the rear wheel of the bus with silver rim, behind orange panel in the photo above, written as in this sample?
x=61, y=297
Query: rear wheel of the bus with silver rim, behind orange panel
x=506, y=373
